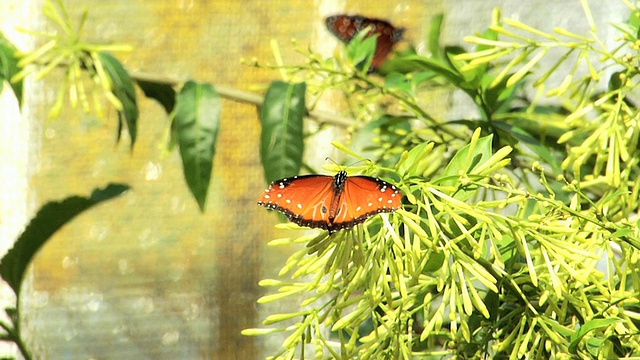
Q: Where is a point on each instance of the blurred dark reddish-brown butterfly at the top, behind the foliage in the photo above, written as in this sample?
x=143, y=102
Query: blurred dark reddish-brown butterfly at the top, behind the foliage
x=346, y=27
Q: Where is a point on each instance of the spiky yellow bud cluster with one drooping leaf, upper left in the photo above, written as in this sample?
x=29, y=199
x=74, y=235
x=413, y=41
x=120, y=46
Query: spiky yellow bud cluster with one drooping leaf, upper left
x=80, y=60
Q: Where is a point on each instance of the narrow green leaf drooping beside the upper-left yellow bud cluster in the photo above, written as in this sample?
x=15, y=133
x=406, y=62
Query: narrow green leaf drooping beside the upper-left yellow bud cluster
x=122, y=87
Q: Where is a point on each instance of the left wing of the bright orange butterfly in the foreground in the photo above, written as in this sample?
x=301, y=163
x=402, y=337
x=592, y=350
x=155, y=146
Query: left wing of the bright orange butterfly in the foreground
x=305, y=200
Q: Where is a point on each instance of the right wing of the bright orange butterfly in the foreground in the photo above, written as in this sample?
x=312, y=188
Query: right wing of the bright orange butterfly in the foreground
x=363, y=197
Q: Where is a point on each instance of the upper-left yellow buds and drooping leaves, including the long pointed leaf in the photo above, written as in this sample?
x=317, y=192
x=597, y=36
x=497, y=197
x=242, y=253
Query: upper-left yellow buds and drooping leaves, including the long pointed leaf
x=197, y=119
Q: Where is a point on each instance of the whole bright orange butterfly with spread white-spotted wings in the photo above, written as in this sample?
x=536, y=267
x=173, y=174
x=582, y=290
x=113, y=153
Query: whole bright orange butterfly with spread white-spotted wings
x=331, y=202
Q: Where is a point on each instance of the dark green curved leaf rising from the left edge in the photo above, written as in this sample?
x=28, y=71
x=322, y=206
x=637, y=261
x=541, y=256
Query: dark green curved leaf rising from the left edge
x=51, y=217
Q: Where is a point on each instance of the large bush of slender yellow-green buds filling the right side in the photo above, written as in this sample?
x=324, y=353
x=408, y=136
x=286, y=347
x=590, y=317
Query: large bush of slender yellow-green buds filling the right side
x=518, y=237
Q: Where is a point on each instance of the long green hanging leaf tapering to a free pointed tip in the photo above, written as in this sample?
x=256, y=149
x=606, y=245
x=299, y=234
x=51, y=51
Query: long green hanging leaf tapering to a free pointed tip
x=196, y=124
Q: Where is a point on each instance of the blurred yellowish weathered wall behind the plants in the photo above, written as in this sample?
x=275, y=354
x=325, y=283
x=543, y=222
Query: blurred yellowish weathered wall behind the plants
x=147, y=276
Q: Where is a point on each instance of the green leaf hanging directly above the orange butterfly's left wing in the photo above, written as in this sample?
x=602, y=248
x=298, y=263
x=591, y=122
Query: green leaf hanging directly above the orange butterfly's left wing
x=282, y=115
